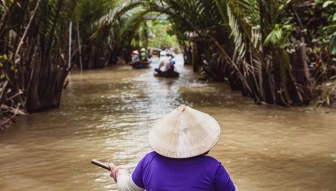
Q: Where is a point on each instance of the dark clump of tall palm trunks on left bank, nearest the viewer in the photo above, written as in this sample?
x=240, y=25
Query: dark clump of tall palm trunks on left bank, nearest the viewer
x=34, y=54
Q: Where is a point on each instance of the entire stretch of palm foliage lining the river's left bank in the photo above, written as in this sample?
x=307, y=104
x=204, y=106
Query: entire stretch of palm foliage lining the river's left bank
x=35, y=40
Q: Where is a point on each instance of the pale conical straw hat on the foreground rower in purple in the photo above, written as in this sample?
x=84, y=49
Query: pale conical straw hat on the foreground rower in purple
x=184, y=133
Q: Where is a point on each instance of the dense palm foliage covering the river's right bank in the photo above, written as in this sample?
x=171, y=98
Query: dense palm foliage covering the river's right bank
x=270, y=50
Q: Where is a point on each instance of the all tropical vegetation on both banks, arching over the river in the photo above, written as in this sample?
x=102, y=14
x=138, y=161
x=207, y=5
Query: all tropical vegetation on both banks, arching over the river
x=275, y=51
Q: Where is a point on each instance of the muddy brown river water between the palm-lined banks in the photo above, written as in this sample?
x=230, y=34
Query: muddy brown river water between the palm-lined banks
x=107, y=114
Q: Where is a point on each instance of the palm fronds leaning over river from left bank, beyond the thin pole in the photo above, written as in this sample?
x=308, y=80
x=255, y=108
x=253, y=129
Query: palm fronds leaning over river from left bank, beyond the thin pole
x=106, y=27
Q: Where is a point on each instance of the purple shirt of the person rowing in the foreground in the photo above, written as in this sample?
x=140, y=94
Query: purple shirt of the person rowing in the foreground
x=201, y=173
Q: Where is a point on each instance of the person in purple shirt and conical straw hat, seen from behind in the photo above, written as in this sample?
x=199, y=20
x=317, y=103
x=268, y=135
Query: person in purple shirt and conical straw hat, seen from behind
x=179, y=162
